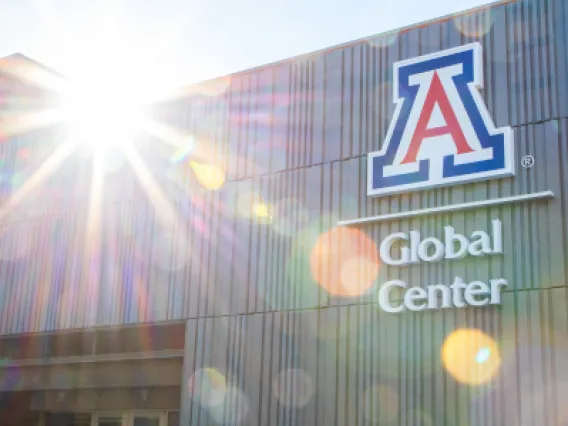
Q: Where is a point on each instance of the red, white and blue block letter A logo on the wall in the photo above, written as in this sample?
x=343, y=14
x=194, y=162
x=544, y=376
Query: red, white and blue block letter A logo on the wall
x=441, y=132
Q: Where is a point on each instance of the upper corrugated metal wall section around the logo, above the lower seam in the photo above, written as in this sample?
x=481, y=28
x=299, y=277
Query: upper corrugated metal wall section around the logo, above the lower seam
x=293, y=136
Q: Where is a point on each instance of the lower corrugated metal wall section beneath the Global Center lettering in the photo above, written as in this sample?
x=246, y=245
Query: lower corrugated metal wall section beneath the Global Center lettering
x=355, y=365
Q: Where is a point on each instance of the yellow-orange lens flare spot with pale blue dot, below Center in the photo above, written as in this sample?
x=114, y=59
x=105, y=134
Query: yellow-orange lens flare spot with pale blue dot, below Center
x=471, y=356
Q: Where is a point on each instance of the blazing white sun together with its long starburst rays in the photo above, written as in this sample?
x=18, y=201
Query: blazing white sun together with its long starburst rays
x=104, y=100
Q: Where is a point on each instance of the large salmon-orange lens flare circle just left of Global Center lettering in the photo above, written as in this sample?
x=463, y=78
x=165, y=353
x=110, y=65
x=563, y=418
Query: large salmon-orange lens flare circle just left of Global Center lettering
x=344, y=262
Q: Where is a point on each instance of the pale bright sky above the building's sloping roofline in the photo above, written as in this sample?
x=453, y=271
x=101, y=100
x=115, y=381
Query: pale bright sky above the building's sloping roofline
x=185, y=41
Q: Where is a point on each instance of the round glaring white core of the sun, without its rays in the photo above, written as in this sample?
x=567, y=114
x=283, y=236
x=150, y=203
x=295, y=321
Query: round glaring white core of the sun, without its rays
x=112, y=84
